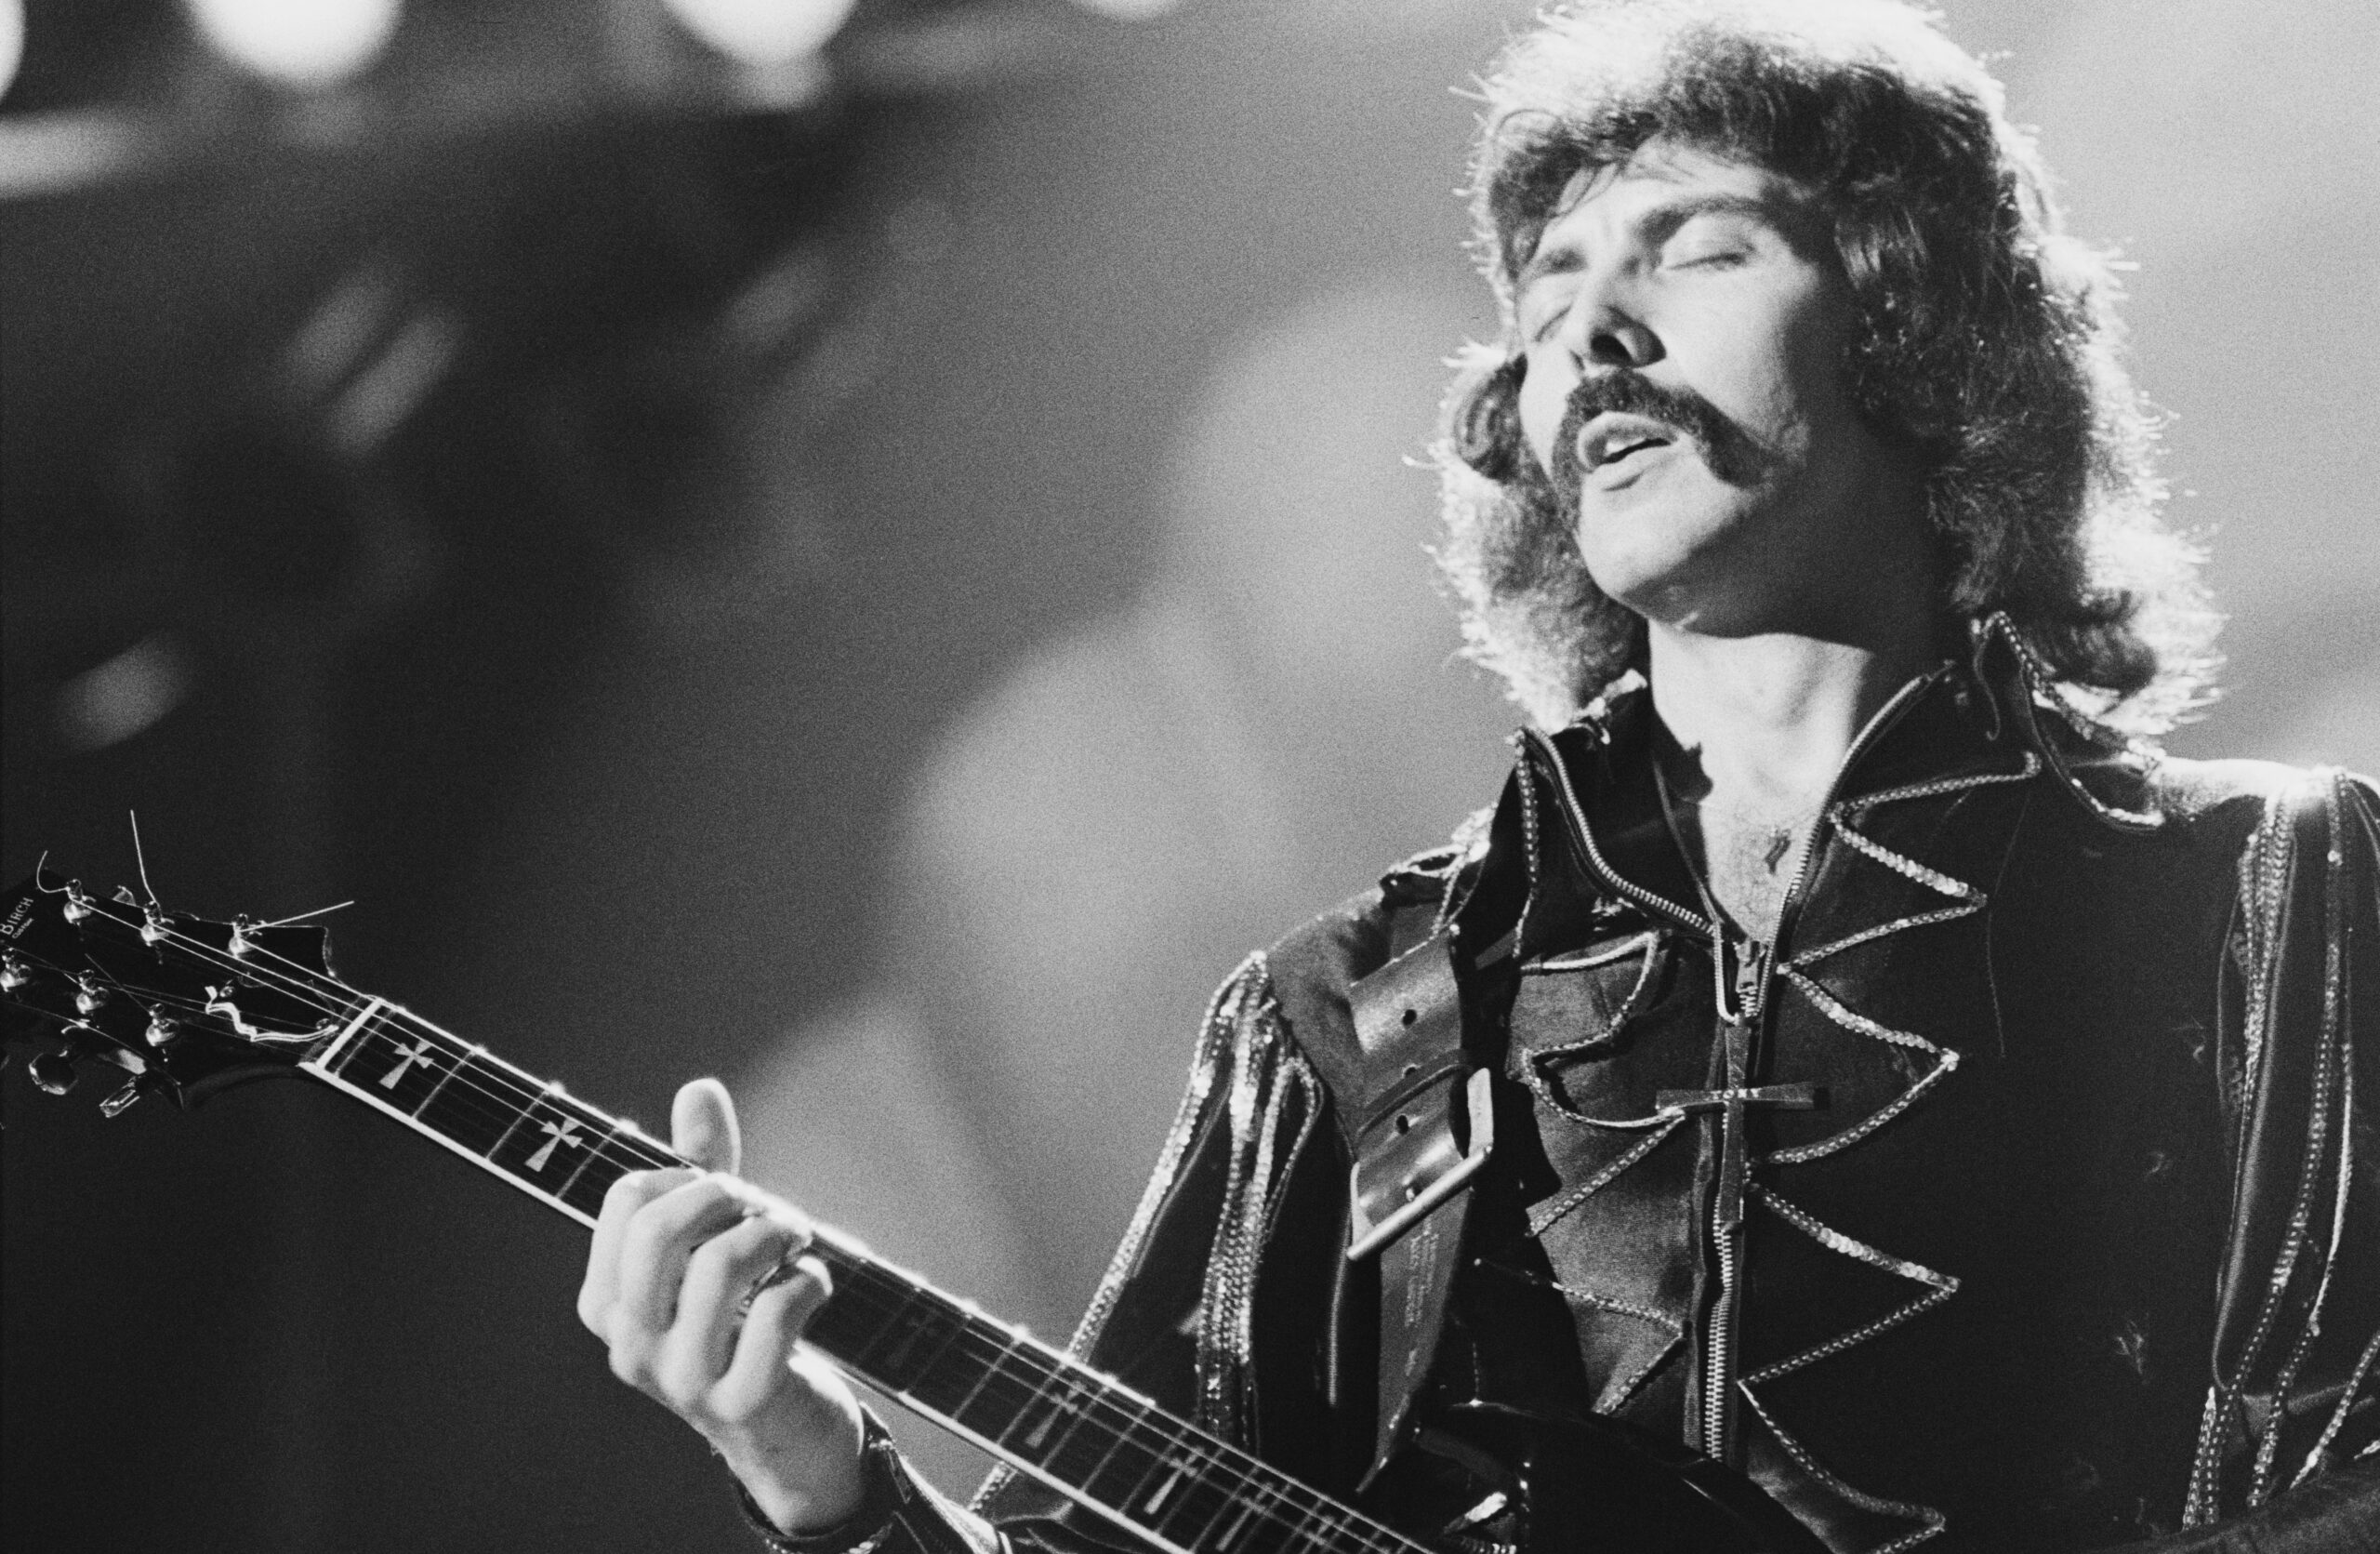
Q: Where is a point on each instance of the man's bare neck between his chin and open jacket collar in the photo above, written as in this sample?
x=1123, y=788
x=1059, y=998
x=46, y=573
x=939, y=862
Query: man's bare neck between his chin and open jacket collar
x=1772, y=718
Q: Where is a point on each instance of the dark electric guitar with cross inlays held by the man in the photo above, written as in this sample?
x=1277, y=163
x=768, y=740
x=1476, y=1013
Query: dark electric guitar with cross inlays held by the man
x=184, y=1008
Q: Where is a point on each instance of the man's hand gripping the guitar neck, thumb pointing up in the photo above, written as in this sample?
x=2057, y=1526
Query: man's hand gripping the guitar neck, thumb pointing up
x=677, y=1258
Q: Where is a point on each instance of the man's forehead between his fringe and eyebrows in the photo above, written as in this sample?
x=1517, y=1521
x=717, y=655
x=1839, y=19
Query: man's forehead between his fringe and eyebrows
x=1653, y=187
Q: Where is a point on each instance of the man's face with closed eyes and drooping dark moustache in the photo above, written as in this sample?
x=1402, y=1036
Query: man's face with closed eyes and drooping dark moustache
x=1686, y=327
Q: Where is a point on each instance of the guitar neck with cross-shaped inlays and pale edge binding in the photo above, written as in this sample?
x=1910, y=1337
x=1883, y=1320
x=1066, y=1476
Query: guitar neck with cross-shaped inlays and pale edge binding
x=1034, y=1408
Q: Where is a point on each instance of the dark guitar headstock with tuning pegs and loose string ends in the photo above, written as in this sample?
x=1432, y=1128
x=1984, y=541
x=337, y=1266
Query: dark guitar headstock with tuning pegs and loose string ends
x=182, y=1005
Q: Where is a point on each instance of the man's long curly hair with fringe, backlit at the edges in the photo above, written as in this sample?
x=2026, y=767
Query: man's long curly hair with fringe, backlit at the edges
x=1986, y=339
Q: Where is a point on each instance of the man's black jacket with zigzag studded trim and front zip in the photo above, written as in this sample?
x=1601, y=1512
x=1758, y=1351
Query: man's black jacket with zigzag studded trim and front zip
x=2079, y=1243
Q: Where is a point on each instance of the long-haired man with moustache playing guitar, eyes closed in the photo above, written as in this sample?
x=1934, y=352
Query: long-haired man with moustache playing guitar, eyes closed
x=1846, y=1051
